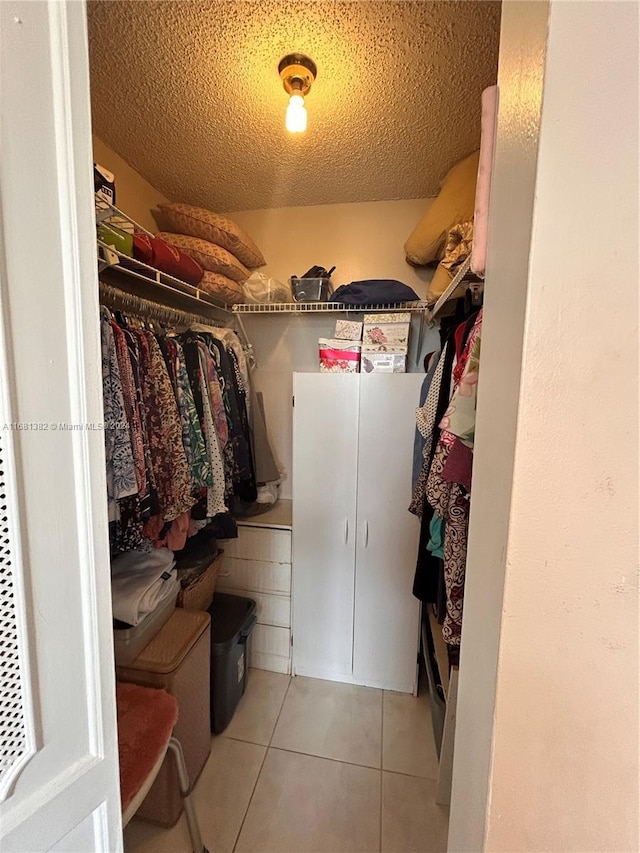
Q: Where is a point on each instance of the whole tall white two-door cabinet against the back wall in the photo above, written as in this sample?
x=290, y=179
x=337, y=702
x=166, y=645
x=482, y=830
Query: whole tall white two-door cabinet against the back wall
x=354, y=542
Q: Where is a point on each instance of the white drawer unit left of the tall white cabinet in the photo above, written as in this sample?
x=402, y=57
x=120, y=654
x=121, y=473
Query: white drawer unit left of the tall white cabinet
x=258, y=565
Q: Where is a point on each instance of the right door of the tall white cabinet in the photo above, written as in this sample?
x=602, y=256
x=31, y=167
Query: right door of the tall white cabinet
x=386, y=613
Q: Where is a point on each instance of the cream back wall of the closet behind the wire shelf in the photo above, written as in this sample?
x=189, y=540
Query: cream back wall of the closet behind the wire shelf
x=363, y=240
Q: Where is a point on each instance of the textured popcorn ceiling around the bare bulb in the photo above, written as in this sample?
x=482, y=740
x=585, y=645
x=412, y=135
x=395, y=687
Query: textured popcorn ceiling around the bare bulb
x=188, y=93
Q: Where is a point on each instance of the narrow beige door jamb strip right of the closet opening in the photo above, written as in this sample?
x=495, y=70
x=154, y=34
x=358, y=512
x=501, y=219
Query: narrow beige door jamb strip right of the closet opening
x=520, y=78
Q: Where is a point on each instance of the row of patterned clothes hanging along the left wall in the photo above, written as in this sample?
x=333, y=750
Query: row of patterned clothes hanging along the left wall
x=177, y=440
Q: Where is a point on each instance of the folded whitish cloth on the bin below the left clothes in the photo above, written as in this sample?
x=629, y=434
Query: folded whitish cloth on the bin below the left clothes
x=140, y=581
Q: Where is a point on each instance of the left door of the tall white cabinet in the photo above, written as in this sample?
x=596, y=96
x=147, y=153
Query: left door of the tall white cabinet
x=325, y=443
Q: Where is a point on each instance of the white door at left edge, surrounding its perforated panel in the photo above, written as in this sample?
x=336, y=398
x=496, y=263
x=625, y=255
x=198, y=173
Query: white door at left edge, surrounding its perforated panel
x=65, y=794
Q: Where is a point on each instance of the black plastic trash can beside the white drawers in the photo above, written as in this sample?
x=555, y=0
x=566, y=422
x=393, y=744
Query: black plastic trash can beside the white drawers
x=232, y=621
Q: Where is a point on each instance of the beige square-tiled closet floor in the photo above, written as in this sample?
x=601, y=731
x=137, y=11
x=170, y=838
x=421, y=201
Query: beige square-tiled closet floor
x=310, y=766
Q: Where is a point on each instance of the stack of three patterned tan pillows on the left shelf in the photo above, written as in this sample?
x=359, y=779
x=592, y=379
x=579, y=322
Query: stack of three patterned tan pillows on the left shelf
x=220, y=246
